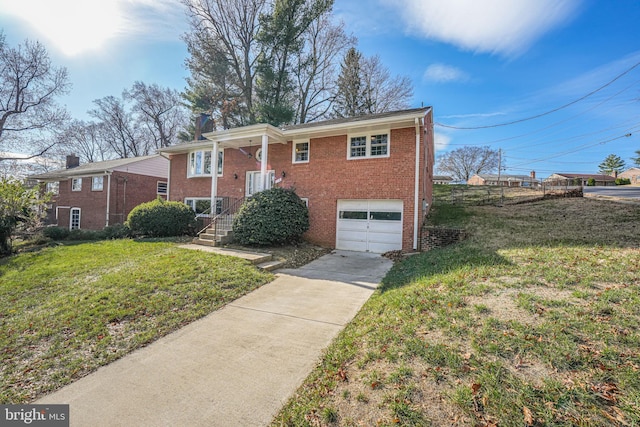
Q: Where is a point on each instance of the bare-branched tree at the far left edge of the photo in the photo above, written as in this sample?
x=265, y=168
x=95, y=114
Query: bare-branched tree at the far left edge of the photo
x=29, y=86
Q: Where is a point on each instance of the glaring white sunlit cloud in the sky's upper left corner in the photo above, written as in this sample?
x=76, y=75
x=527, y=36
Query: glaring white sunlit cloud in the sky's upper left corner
x=79, y=26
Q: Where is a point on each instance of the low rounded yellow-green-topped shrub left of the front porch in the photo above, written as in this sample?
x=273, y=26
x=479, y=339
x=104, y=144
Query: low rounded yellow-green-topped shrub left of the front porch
x=160, y=218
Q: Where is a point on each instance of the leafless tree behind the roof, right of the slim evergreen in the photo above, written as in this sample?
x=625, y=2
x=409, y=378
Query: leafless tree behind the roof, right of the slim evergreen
x=382, y=91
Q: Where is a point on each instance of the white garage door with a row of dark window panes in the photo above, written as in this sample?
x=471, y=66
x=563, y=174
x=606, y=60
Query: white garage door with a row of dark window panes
x=369, y=225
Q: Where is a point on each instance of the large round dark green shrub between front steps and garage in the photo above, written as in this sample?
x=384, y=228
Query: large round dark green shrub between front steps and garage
x=274, y=216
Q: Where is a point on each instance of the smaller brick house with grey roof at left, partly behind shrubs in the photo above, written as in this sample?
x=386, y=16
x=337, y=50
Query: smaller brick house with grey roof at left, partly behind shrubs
x=95, y=195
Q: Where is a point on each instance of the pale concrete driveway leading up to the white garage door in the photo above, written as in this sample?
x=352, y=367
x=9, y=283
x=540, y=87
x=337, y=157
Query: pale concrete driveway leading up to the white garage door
x=240, y=364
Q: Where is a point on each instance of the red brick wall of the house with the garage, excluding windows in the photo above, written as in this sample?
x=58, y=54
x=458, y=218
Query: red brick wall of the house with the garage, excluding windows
x=326, y=178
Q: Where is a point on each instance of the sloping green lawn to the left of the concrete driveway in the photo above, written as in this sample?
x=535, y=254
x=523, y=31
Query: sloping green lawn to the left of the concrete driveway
x=66, y=310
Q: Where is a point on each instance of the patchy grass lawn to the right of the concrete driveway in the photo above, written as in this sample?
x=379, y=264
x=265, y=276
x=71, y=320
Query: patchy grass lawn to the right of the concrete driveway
x=534, y=320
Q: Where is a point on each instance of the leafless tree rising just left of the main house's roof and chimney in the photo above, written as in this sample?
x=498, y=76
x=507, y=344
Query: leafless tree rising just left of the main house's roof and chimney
x=159, y=111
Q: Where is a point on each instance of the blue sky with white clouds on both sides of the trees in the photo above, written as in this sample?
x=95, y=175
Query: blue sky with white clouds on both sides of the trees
x=480, y=63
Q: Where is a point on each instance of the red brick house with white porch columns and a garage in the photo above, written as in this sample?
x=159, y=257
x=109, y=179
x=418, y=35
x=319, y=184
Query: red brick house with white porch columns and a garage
x=366, y=180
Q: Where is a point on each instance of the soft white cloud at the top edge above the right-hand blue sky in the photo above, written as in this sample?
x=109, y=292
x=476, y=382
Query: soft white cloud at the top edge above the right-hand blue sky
x=506, y=27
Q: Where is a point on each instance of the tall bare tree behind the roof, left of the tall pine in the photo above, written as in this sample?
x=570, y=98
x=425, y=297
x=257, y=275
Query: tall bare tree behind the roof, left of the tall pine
x=230, y=27
